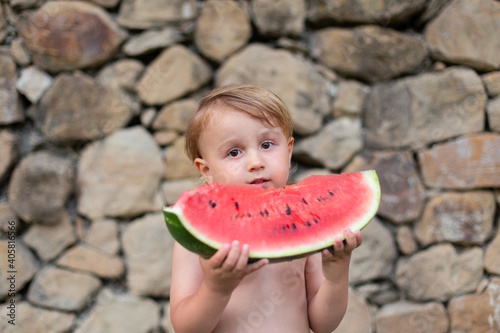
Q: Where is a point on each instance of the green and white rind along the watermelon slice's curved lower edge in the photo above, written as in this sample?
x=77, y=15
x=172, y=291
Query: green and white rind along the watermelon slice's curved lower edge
x=187, y=237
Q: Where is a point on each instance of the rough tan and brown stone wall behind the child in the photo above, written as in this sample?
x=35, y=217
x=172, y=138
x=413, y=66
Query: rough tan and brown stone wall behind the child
x=94, y=99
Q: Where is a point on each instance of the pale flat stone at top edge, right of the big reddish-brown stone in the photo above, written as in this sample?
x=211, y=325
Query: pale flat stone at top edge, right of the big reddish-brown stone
x=153, y=13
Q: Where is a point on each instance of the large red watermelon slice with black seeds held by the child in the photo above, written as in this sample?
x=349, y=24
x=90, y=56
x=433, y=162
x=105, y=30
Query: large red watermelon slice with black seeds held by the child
x=278, y=224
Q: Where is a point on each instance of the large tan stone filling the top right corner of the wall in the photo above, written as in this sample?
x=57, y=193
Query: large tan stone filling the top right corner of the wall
x=471, y=44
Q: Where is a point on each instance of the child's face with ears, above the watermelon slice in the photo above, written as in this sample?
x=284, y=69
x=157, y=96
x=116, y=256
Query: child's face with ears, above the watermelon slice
x=239, y=149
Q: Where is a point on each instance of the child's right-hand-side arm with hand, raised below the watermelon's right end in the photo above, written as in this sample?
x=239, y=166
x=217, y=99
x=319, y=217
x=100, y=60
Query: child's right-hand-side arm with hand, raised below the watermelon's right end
x=328, y=292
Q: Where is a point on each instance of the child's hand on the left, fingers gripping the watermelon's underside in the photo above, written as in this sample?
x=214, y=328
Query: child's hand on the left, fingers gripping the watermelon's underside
x=228, y=266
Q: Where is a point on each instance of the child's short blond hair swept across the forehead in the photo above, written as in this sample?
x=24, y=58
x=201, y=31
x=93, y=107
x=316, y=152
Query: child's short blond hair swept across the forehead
x=257, y=102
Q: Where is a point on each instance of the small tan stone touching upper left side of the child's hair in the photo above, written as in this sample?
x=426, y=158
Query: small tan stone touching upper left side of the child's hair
x=175, y=115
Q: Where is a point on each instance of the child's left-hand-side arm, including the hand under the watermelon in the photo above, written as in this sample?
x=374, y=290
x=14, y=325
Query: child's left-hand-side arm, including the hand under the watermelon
x=202, y=288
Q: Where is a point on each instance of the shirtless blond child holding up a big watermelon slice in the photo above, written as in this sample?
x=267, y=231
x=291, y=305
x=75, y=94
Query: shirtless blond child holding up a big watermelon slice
x=243, y=134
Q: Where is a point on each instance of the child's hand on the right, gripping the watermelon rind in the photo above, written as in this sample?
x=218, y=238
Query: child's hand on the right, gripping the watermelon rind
x=340, y=252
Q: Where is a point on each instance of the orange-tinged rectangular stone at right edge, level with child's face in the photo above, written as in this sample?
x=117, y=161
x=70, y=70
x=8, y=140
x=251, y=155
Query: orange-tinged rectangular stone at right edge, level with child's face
x=465, y=163
